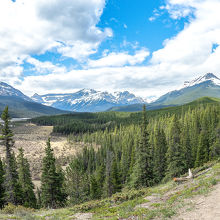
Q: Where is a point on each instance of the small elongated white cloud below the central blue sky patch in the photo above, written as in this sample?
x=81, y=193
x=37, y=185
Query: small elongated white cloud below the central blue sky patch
x=120, y=59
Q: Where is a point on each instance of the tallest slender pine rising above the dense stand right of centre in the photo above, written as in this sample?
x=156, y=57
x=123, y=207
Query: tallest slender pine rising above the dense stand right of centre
x=142, y=174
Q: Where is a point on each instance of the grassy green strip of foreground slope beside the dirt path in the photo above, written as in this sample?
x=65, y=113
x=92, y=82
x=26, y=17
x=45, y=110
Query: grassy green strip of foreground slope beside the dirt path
x=125, y=204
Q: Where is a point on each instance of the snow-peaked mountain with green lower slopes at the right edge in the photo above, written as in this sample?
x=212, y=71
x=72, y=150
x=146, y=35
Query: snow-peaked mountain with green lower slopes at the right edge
x=207, y=85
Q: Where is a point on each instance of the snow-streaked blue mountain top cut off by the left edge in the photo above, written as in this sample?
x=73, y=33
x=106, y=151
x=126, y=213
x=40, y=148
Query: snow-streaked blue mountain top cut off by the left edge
x=7, y=90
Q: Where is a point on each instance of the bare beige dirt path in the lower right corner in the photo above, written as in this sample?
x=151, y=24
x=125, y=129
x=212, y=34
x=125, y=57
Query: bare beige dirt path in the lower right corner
x=205, y=207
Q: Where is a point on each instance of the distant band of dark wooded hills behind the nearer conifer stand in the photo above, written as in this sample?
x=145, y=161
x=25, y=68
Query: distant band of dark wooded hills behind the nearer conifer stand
x=84, y=122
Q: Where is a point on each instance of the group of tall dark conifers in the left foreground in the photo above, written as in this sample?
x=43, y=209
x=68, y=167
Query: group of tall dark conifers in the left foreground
x=16, y=186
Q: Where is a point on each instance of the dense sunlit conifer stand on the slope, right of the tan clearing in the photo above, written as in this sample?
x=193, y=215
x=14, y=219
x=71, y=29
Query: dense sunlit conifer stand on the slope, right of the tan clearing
x=136, y=155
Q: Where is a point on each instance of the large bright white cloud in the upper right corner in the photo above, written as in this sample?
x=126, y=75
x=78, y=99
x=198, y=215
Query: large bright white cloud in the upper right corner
x=193, y=45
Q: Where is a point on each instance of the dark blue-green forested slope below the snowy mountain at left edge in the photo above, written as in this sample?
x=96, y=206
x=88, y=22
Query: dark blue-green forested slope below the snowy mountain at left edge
x=20, y=108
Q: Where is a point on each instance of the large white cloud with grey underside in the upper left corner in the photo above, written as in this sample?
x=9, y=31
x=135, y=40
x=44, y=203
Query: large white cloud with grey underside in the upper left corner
x=33, y=27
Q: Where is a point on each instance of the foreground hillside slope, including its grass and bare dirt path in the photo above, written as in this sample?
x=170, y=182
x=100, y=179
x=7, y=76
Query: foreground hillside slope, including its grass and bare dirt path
x=194, y=199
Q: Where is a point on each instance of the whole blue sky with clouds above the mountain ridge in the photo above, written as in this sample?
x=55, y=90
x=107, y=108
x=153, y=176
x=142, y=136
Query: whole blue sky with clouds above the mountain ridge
x=147, y=47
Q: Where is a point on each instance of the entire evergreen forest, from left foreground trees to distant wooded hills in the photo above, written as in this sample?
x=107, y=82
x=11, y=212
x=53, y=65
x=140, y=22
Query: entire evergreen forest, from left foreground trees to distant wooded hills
x=122, y=150
